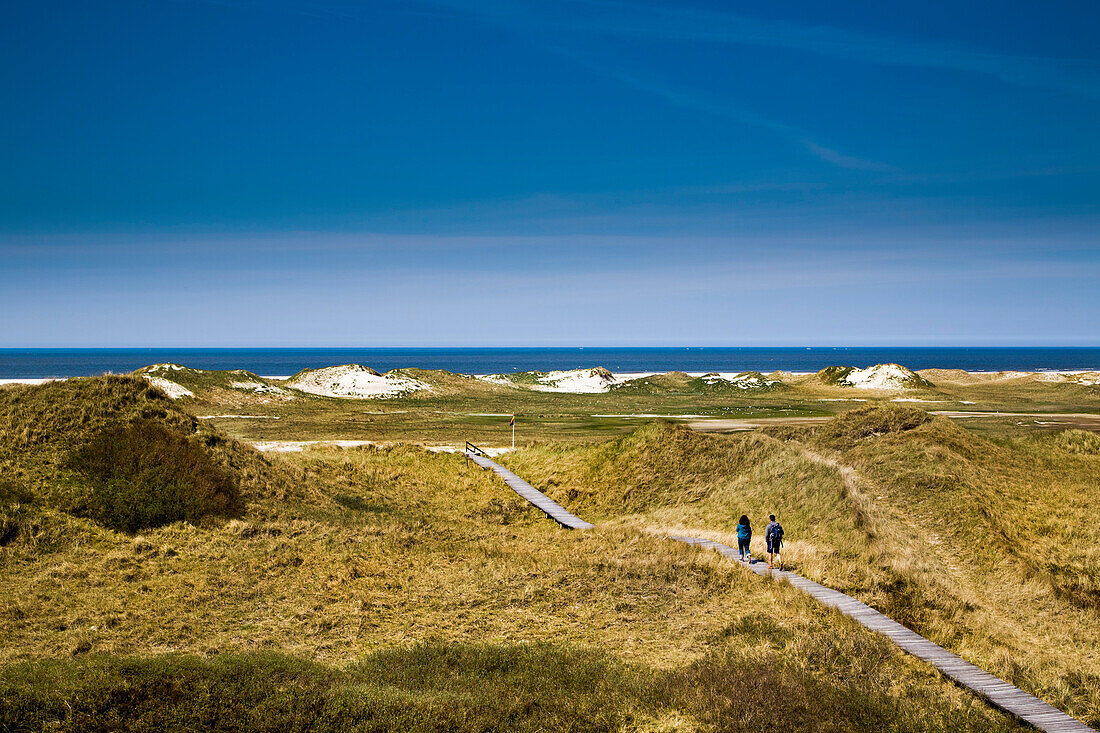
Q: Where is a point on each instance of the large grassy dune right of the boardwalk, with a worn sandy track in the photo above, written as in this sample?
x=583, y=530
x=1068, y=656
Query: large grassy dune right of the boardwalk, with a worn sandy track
x=988, y=548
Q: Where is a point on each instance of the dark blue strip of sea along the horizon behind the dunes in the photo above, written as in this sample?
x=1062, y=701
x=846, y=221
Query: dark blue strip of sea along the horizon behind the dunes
x=25, y=364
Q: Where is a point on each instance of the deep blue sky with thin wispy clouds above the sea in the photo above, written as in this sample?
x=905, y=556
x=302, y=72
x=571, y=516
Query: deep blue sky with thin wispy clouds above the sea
x=586, y=172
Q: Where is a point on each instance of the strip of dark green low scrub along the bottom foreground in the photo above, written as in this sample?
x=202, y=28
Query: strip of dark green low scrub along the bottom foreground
x=486, y=687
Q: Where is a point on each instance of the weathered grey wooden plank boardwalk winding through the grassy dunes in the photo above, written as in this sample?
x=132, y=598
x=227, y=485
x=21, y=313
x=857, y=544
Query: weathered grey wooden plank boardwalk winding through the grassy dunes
x=1011, y=699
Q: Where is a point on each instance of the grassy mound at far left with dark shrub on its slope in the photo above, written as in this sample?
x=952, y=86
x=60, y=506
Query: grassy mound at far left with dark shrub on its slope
x=118, y=451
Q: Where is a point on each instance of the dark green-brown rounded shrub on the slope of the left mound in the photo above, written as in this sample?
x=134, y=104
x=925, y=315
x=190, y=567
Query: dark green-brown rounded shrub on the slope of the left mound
x=144, y=475
